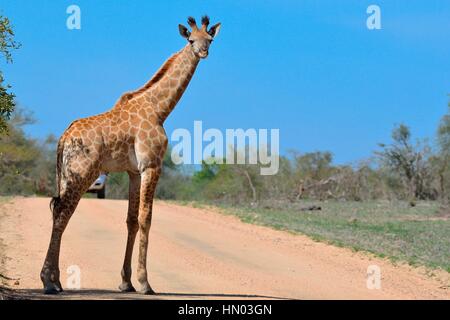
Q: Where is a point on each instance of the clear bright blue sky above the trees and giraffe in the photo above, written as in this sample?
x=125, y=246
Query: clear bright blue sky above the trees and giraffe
x=310, y=68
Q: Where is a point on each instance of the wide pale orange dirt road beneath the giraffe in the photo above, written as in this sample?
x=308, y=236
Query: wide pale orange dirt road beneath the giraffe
x=196, y=253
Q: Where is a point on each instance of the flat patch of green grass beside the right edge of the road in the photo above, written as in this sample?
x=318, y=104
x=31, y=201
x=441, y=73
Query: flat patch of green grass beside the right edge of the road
x=418, y=235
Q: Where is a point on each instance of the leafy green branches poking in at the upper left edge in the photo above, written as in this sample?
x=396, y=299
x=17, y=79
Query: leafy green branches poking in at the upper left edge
x=7, y=44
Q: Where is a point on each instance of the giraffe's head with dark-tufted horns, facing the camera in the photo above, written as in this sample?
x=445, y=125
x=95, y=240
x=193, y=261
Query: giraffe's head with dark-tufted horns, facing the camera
x=199, y=38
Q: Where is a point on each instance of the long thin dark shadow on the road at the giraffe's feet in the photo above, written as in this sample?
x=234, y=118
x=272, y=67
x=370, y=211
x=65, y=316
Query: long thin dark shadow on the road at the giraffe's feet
x=99, y=294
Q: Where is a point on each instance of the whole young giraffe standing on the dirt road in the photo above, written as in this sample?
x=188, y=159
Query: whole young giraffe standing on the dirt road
x=130, y=137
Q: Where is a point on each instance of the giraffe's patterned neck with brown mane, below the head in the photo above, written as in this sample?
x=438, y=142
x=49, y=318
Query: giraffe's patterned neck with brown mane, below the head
x=162, y=93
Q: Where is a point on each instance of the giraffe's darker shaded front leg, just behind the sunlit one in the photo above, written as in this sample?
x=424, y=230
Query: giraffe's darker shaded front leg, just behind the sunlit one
x=132, y=226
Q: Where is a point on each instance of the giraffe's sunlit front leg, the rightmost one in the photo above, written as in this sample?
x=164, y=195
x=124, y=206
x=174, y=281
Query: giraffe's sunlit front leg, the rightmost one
x=149, y=179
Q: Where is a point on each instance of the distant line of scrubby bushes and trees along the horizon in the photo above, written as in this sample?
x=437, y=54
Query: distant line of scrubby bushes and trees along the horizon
x=401, y=169
